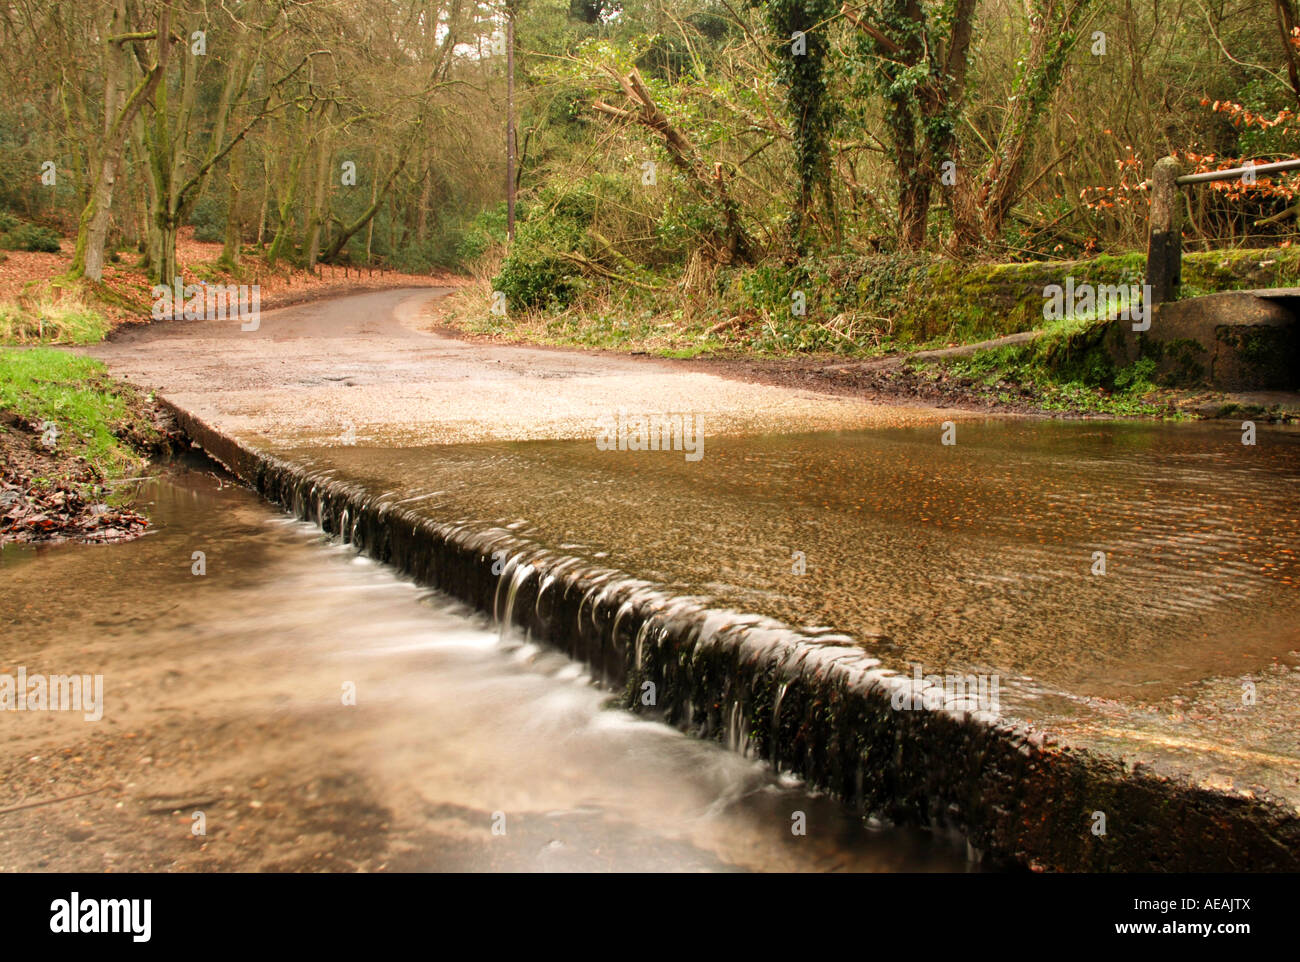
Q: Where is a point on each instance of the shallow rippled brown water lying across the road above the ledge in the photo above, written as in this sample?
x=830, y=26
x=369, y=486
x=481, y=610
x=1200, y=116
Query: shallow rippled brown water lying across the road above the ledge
x=976, y=556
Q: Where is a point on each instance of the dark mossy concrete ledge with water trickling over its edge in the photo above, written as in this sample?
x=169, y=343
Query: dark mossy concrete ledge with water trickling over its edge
x=818, y=707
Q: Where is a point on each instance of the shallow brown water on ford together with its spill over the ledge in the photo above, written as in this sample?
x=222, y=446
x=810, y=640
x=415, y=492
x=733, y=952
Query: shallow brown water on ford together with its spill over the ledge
x=1130, y=587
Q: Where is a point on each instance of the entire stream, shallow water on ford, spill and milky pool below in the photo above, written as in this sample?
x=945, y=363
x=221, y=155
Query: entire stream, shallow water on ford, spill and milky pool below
x=470, y=747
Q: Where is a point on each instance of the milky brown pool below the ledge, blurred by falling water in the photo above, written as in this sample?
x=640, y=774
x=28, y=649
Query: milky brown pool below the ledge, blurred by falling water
x=223, y=695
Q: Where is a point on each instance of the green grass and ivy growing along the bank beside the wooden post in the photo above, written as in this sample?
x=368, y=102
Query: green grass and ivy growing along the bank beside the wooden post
x=870, y=306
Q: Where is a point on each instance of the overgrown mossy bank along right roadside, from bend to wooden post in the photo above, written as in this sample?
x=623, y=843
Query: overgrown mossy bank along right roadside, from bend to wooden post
x=870, y=310
